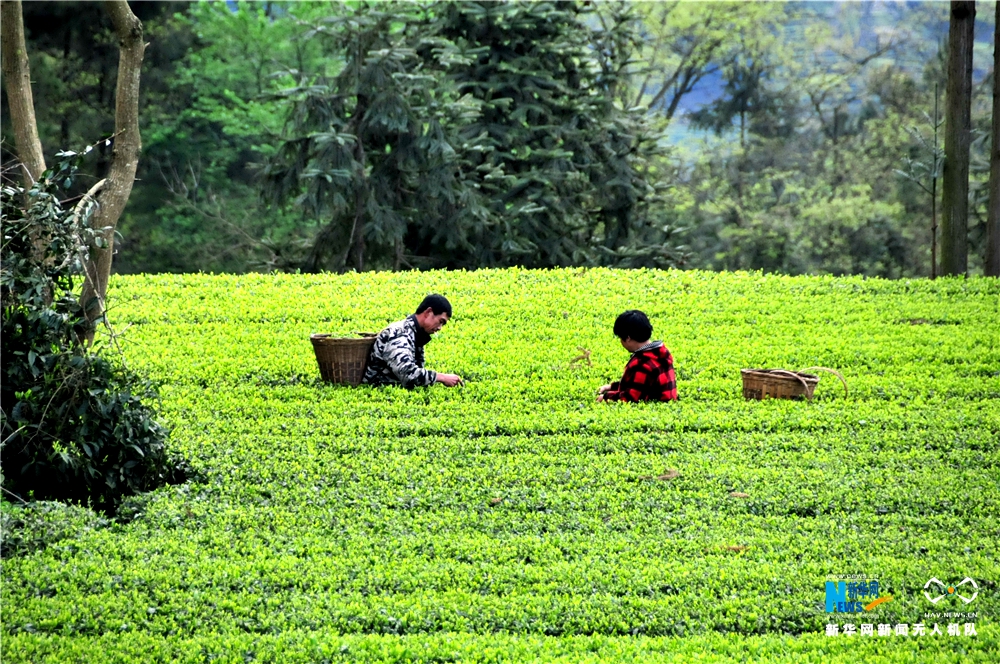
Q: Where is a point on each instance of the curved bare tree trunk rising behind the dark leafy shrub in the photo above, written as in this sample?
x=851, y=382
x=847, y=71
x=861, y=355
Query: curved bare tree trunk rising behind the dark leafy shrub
x=124, y=157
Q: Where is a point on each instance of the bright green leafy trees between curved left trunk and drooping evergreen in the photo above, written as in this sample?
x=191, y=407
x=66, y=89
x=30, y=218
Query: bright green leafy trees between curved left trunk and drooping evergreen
x=207, y=127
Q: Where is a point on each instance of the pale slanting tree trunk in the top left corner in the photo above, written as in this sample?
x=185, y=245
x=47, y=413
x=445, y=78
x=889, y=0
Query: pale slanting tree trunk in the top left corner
x=17, y=75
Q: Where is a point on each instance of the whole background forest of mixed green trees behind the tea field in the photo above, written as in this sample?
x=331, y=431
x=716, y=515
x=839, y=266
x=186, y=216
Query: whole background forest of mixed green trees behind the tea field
x=787, y=137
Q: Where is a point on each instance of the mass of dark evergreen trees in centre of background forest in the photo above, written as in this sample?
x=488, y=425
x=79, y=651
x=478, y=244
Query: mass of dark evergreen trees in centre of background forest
x=469, y=135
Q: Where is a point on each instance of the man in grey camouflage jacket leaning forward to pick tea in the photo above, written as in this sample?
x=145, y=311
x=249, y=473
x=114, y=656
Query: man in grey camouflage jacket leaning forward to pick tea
x=397, y=358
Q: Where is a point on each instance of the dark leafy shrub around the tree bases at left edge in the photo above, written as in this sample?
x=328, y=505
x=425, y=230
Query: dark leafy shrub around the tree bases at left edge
x=74, y=423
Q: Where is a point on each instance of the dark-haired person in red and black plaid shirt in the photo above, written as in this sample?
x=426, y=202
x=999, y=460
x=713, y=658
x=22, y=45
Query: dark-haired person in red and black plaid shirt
x=649, y=375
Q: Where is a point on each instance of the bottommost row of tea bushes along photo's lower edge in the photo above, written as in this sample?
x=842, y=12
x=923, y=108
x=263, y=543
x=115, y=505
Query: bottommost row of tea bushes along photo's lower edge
x=311, y=647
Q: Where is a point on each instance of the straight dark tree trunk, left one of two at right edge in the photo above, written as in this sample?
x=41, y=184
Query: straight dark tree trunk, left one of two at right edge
x=957, y=138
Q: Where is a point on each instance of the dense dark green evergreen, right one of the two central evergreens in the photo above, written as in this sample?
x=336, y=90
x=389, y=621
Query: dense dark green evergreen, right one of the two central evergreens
x=564, y=166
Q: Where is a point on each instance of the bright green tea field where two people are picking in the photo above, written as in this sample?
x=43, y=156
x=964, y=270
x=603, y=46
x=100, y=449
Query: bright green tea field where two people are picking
x=515, y=519
